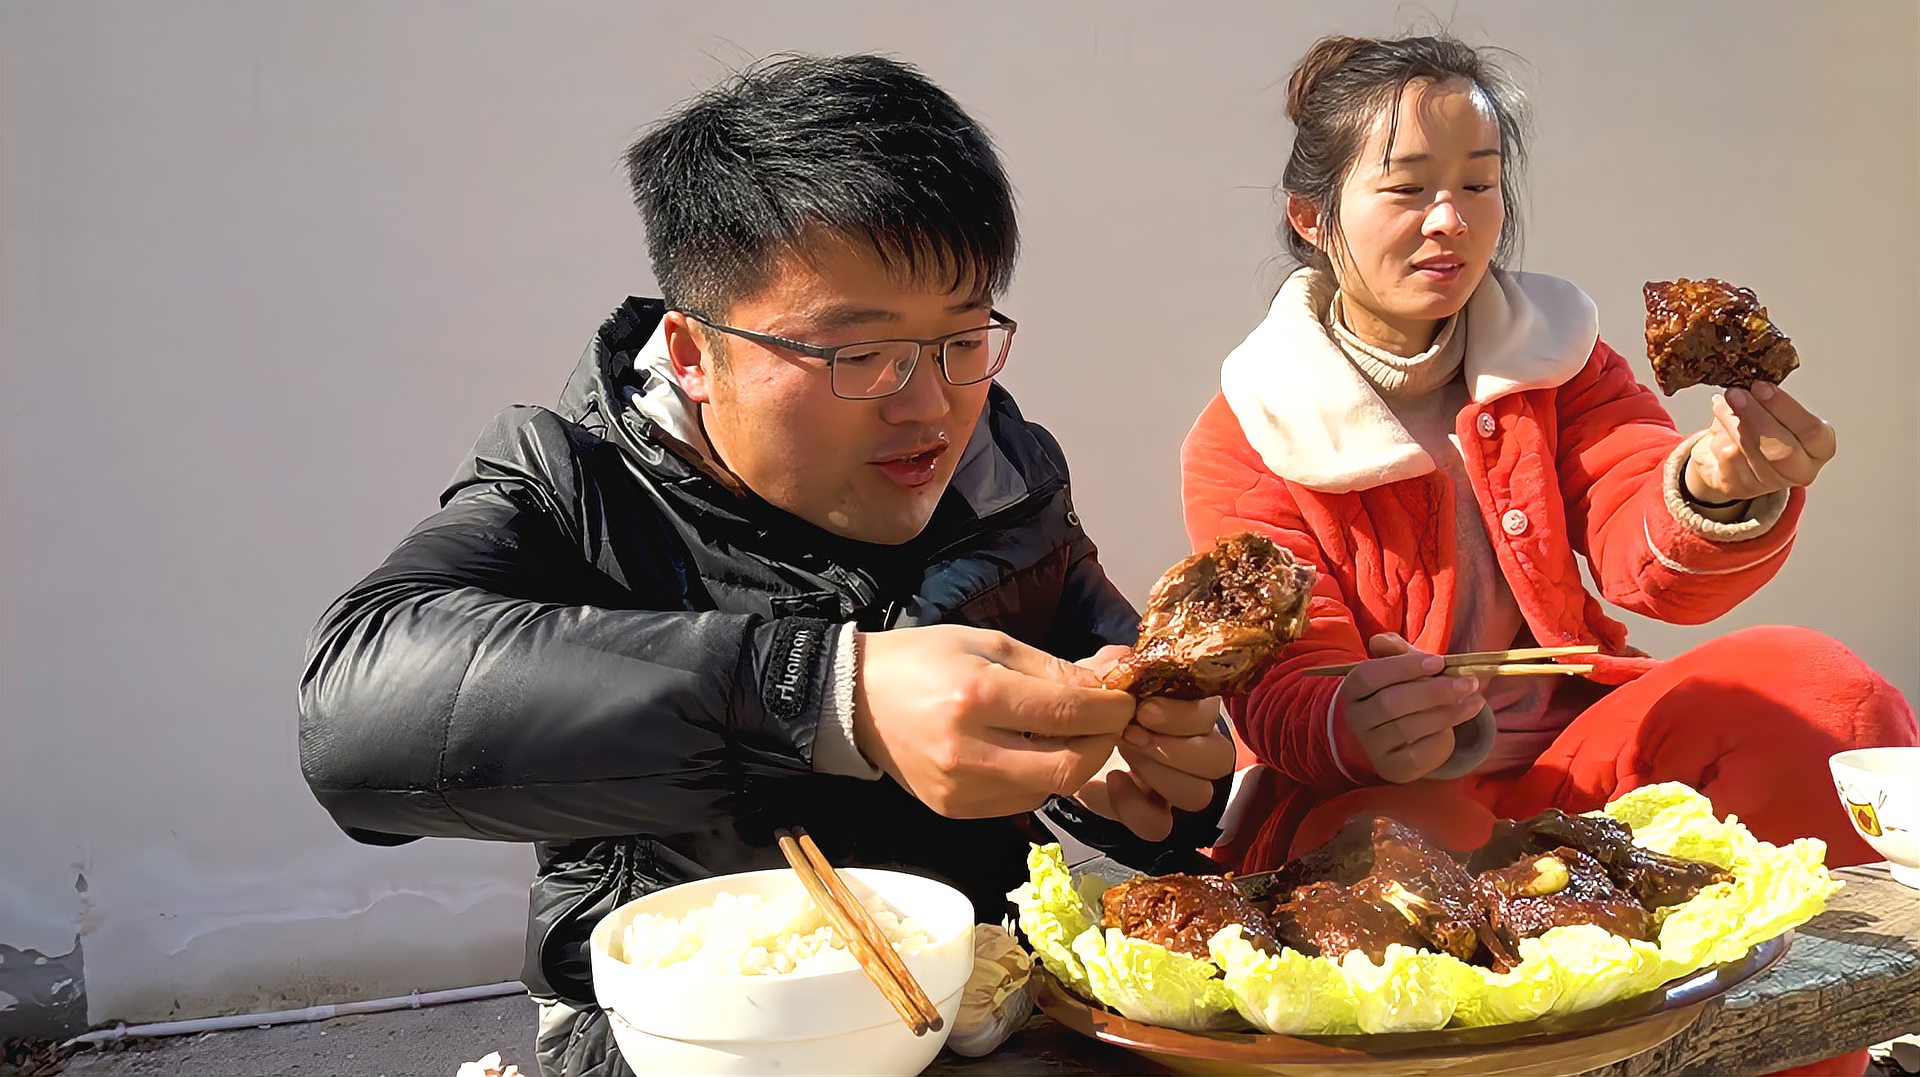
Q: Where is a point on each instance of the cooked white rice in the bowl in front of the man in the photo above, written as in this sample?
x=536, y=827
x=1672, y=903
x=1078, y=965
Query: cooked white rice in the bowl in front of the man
x=759, y=936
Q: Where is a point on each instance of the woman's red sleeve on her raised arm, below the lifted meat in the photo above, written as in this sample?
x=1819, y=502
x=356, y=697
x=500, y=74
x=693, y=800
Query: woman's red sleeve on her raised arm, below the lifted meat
x=1612, y=458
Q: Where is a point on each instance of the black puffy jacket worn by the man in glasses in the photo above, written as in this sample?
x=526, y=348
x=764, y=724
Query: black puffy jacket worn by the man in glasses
x=604, y=646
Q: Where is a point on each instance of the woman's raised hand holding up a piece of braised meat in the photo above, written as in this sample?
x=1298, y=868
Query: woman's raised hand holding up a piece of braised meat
x=1760, y=443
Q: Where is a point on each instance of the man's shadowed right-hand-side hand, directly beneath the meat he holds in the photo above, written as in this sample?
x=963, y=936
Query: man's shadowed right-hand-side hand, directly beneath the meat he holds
x=1168, y=759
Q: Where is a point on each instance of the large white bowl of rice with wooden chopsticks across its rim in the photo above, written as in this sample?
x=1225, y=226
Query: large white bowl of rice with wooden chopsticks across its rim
x=834, y=1022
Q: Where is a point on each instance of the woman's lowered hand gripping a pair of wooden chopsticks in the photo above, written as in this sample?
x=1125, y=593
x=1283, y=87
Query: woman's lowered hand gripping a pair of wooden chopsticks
x=1403, y=707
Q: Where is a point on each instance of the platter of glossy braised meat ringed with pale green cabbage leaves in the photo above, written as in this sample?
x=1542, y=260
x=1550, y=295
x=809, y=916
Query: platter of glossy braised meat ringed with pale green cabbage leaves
x=1564, y=944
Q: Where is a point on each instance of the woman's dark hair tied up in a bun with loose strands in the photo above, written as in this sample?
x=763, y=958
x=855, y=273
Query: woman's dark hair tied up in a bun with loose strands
x=1345, y=84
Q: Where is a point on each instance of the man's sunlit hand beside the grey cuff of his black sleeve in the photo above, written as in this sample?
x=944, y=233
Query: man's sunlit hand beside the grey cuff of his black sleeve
x=978, y=725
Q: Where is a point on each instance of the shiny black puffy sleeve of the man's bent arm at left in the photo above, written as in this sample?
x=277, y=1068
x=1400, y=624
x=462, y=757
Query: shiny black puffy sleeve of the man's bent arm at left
x=468, y=688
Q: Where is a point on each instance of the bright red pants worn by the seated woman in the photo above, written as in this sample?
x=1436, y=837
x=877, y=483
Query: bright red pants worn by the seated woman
x=1748, y=719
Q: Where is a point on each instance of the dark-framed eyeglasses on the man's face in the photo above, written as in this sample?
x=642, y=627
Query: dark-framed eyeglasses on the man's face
x=882, y=368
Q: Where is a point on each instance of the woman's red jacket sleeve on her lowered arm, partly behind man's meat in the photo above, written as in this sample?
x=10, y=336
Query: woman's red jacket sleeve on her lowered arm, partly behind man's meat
x=1285, y=719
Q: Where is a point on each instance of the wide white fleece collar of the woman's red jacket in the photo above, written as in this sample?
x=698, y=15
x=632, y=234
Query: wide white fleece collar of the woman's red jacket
x=1314, y=419
